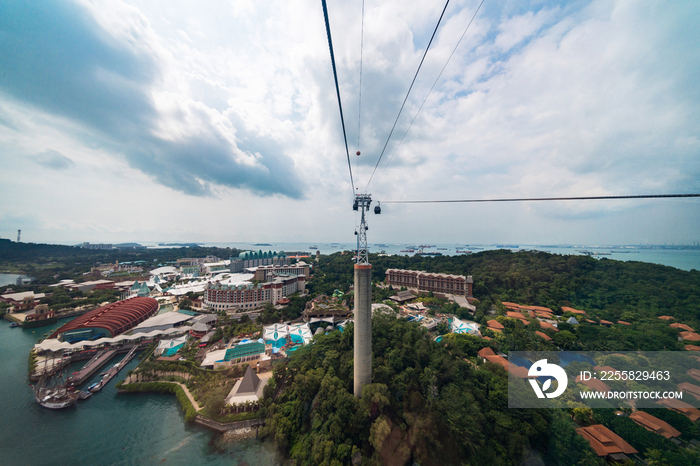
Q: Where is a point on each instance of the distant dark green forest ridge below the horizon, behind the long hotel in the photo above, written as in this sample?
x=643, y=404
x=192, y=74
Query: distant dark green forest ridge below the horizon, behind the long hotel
x=636, y=292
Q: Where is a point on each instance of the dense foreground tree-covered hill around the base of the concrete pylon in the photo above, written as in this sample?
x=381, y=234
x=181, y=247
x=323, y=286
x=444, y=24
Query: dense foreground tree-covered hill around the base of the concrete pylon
x=428, y=404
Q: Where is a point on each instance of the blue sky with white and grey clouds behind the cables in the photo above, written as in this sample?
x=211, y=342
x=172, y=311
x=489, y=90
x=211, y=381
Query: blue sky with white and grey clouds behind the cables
x=214, y=121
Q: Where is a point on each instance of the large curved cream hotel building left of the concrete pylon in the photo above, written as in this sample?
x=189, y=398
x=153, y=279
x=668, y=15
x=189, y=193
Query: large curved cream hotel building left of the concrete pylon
x=221, y=297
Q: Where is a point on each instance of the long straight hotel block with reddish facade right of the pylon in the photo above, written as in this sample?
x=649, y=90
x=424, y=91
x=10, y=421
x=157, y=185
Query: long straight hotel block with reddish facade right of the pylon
x=435, y=282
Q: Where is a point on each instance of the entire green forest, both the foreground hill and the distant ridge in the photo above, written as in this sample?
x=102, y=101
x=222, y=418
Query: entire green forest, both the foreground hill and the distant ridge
x=435, y=403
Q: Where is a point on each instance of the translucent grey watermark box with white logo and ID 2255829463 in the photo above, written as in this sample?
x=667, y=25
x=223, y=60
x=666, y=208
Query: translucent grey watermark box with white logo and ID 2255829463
x=632, y=379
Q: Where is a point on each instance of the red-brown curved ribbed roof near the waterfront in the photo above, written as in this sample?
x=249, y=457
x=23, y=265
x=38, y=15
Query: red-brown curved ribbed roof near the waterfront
x=115, y=318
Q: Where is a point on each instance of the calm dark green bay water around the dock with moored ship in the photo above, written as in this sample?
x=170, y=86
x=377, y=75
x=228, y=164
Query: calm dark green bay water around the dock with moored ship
x=106, y=429
